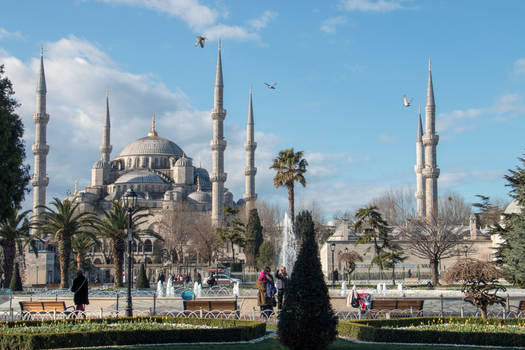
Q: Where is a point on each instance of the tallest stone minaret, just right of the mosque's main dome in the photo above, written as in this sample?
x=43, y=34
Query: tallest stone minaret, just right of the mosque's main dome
x=218, y=145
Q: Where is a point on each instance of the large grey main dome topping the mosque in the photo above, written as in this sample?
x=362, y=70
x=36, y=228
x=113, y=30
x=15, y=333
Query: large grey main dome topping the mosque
x=152, y=145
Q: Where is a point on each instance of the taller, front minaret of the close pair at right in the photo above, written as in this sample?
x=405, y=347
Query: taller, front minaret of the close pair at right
x=430, y=141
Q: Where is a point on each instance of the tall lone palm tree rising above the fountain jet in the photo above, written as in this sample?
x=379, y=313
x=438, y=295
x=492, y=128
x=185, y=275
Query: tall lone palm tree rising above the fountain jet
x=290, y=167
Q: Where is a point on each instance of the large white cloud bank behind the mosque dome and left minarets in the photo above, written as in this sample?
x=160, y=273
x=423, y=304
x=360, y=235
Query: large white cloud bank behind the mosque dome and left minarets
x=77, y=75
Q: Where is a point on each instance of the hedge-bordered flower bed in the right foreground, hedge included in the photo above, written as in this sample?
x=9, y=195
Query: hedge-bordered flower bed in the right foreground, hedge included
x=437, y=330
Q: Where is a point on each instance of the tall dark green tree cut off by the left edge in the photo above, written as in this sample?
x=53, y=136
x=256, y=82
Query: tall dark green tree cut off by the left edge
x=14, y=175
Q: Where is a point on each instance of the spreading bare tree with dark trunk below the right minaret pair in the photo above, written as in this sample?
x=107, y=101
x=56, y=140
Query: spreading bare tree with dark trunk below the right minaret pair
x=432, y=239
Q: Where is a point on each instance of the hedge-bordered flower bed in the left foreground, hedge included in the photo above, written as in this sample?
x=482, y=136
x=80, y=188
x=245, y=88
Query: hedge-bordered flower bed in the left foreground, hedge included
x=124, y=331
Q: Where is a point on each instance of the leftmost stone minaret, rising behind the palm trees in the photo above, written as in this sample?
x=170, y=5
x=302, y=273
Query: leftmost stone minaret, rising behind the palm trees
x=40, y=148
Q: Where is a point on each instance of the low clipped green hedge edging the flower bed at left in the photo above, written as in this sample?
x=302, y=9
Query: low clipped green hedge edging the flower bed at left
x=228, y=331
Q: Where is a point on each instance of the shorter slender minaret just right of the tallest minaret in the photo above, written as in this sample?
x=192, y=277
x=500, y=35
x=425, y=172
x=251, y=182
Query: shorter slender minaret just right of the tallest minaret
x=249, y=195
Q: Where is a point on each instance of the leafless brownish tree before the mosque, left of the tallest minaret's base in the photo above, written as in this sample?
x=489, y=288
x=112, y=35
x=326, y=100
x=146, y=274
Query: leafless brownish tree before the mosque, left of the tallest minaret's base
x=174, y=226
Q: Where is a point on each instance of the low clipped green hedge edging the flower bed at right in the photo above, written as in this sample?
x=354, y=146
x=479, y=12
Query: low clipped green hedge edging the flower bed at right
x=372, y=330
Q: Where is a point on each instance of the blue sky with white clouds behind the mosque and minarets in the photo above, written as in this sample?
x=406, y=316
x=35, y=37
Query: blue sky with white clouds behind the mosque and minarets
x=341, y=69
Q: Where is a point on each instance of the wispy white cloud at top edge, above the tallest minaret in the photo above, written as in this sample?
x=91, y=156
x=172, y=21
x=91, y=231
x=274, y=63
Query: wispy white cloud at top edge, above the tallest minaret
x=203, y=19
